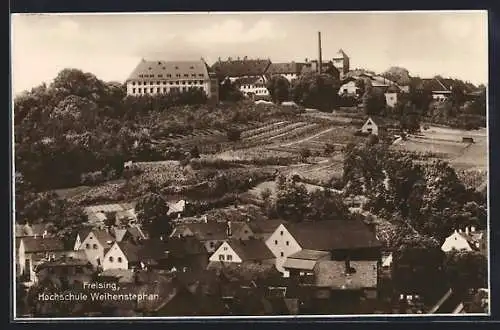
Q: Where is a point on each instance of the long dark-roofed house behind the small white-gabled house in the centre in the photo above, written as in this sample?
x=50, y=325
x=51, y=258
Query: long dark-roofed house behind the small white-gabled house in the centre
x=213, y=234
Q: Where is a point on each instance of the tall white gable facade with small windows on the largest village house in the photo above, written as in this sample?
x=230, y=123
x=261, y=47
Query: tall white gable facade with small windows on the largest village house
x=282, y=245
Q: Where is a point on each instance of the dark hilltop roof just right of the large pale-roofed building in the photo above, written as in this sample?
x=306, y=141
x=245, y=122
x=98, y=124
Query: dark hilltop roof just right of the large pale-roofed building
x=240, y=68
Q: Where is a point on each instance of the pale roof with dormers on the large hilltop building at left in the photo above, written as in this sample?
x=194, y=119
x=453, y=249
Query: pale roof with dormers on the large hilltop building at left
x=167, y=70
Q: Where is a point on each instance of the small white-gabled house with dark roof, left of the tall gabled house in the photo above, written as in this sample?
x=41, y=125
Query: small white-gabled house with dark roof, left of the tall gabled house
x=243, y=251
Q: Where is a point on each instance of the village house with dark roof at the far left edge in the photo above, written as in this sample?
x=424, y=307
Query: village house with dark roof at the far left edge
x=33, y=251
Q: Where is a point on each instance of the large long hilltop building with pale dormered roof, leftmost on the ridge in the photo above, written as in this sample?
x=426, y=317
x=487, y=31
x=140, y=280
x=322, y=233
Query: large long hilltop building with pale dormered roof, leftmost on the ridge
x=152, y=77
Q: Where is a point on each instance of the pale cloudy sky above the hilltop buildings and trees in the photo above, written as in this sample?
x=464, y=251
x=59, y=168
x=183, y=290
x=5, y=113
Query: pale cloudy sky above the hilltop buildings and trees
x=450, y=44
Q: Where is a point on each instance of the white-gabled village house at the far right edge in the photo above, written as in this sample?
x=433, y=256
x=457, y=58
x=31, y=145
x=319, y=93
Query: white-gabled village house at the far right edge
x=468, y=239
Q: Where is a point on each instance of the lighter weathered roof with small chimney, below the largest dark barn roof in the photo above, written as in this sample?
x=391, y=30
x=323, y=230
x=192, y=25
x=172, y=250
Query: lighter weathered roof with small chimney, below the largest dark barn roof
x=331, y=274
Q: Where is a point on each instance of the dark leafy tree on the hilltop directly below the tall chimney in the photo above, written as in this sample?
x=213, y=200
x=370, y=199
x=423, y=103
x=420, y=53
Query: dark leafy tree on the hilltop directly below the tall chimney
x=318, y=91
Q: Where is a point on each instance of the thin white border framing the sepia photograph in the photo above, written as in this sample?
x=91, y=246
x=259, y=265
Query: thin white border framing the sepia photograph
x=330, y=317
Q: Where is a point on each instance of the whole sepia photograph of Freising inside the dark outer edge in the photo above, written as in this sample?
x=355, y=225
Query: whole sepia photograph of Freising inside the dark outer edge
x=249, y=165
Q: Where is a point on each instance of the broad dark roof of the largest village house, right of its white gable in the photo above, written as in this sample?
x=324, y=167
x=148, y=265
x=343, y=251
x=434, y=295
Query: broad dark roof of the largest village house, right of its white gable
x=333, y=235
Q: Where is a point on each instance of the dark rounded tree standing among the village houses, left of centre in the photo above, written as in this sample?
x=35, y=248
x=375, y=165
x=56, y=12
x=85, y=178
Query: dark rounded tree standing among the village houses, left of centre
x=152, y=214
